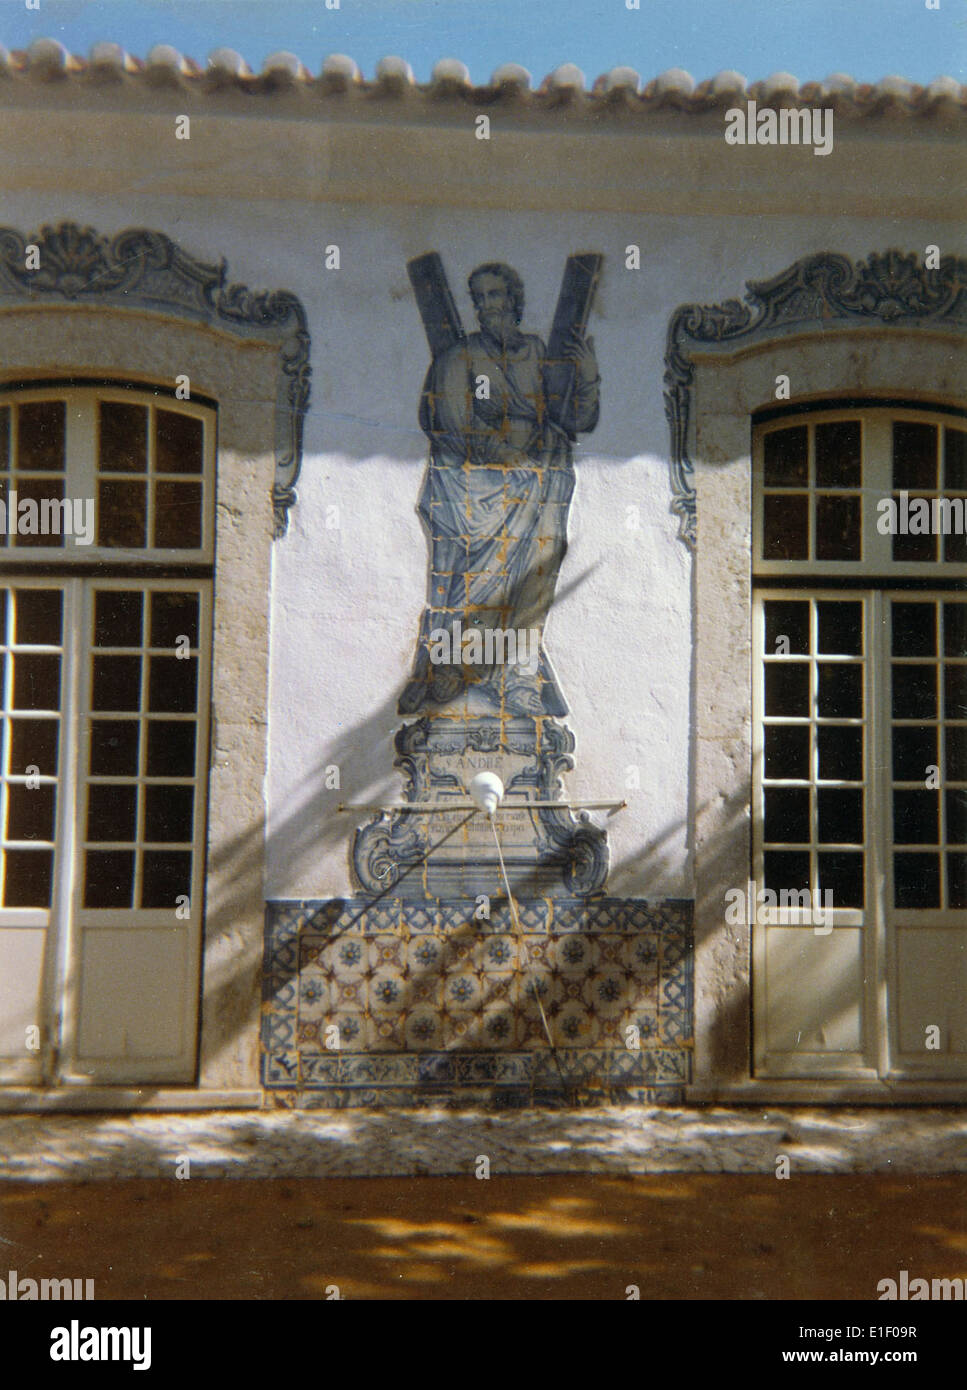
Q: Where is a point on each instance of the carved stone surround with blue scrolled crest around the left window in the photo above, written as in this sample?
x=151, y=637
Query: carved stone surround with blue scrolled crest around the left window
x=144, y=329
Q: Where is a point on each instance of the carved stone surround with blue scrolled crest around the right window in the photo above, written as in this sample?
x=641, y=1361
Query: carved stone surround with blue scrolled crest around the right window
x=900, y=341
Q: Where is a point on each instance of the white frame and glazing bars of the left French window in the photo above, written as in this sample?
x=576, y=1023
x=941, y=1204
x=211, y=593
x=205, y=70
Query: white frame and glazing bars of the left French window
x=66, y=921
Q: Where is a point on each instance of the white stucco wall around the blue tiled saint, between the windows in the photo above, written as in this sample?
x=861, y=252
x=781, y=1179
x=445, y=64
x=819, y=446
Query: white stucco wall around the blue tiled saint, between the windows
x=348, y=601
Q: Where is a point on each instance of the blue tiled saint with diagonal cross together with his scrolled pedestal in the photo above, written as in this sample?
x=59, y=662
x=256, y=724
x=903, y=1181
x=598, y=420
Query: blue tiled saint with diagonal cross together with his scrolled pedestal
x=502, y=412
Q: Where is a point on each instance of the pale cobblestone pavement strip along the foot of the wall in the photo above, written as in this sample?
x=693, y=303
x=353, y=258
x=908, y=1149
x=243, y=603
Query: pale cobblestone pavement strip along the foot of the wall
x=429, y=1142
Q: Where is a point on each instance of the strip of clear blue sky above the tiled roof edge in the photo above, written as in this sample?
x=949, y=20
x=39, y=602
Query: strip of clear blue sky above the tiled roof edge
x=809, y=38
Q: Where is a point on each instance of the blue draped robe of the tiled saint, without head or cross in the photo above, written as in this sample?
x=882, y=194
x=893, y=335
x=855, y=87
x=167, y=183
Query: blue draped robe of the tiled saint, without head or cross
x=495, y=504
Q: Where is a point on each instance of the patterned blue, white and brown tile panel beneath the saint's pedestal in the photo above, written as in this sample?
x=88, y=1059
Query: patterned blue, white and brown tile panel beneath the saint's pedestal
x=416, y=1003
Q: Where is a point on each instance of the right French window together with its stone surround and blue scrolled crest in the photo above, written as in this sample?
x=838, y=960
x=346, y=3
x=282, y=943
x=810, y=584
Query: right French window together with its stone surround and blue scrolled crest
x=829, y=662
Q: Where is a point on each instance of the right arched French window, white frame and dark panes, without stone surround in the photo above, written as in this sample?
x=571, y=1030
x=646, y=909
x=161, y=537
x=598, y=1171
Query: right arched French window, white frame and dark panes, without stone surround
x=861, y=740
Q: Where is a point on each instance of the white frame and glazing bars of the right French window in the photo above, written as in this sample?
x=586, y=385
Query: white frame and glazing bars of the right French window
x=870, y=582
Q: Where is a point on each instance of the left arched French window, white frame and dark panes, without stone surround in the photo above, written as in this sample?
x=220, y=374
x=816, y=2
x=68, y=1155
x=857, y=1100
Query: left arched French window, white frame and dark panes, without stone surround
x=106, y=584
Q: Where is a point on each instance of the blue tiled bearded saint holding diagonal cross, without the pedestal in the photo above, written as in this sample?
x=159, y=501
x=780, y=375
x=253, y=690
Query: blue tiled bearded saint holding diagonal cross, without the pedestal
x=501, y=416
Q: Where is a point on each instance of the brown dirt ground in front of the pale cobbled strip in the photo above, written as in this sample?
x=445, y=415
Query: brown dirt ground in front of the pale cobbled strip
x=555, y=1238
